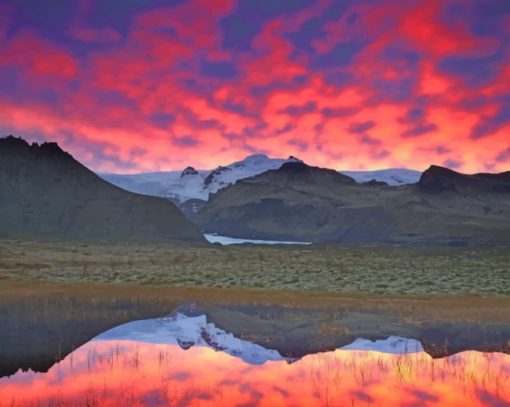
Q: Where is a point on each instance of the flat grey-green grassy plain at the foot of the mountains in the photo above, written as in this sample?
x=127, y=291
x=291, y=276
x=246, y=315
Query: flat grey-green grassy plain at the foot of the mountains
x=363, y=269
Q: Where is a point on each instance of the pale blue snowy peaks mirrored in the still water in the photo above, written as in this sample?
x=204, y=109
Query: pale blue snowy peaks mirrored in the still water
x=188, y=331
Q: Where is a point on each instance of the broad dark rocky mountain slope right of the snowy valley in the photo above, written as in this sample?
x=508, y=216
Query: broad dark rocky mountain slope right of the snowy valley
x=302, y=203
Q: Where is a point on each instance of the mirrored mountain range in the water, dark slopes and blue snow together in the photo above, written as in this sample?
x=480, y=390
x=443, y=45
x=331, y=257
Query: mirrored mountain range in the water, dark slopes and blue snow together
x=37, y=336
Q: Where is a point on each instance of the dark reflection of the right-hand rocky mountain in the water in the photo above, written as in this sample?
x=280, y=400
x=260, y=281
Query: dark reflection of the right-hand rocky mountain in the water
x=296, y=332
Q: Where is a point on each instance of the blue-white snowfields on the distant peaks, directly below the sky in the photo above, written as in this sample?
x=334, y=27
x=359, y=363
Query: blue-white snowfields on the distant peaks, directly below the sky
x=181, y=186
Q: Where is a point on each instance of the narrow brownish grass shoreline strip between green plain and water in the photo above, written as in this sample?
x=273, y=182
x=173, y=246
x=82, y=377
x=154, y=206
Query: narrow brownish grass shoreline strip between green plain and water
x=437, y=307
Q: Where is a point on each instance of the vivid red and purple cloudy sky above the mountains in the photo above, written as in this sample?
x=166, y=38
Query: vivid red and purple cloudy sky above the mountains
x=137, y=85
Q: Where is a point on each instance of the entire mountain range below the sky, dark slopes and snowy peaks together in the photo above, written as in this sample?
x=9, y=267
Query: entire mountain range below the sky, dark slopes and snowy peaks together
x=45, y=192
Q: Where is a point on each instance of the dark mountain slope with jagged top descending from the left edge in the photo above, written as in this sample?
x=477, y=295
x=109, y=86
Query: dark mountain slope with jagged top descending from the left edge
x=45, y=192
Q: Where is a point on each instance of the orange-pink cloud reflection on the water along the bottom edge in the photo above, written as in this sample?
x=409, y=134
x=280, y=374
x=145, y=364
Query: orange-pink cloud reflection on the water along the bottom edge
x=155, y=372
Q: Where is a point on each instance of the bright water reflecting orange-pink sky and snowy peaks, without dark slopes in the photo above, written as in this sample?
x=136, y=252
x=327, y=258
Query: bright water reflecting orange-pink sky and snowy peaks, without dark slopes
x=185, y=361
